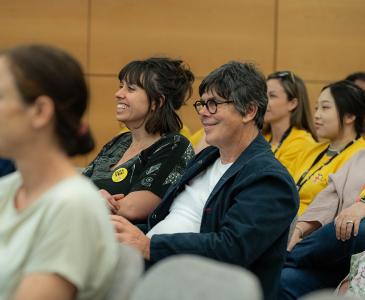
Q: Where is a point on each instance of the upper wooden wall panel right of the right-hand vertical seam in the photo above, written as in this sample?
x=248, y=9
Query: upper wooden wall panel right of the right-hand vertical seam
x=321, y=39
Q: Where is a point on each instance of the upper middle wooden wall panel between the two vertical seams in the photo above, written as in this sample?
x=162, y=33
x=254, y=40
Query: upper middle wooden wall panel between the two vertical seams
x=204, y=33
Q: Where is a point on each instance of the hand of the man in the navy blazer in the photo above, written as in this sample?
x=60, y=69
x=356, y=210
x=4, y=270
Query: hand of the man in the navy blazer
x=129, y=234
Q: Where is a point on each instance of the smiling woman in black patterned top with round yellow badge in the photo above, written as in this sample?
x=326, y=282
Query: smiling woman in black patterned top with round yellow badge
x=135, y=169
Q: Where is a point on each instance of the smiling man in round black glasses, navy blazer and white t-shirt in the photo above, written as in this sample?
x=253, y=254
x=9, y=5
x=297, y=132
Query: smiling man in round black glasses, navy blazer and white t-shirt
x=235, y=201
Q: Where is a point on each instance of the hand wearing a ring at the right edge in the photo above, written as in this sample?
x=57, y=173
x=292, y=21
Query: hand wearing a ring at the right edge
x=349, y=219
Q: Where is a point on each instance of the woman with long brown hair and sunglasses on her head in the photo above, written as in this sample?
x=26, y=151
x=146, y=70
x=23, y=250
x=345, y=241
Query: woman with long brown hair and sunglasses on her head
x=288, y=120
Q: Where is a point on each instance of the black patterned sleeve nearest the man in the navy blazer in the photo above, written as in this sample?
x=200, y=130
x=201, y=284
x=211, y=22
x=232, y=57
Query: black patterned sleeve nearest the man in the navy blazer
x=165, y=166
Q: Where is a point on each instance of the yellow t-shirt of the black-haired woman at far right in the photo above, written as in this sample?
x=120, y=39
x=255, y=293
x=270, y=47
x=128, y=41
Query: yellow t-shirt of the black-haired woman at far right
x=319, y=179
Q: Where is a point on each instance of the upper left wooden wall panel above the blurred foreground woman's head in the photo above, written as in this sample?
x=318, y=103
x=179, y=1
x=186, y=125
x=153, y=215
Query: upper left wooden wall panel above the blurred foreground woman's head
x=59, y=23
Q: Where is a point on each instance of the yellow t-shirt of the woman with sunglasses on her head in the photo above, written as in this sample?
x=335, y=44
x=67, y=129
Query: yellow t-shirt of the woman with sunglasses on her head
x=297, y=141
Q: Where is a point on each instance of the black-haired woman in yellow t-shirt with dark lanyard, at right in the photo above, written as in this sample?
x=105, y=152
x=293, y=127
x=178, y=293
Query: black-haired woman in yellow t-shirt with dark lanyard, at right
x=339, y=118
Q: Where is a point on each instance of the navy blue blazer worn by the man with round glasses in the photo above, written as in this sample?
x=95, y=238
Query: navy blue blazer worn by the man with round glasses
x=246, y=218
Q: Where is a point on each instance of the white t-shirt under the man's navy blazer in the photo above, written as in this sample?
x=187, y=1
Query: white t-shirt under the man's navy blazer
x=186, y=212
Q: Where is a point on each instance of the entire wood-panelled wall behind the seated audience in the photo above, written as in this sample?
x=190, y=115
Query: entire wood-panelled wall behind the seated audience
x=320, y=40
